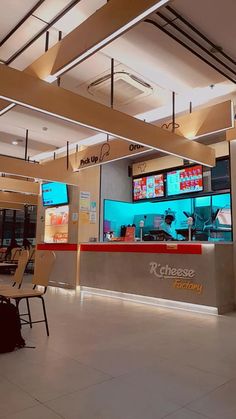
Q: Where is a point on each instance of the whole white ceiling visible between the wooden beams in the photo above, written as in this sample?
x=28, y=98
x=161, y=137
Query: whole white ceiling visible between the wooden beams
x=148, y=55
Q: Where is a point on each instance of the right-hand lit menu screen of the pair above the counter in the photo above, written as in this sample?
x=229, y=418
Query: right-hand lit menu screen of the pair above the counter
x=185, y=180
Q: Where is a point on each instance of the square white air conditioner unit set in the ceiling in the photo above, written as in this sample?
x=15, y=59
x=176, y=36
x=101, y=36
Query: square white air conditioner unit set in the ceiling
x=127, y=88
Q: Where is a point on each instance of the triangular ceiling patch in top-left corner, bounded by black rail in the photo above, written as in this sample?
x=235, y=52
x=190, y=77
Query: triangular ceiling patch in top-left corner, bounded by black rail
x=11, y=13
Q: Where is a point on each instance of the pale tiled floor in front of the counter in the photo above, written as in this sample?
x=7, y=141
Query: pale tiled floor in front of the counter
x=108, y=359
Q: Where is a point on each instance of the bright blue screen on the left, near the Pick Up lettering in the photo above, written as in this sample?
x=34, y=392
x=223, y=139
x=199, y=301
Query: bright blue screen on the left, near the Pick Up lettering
x=54, y=193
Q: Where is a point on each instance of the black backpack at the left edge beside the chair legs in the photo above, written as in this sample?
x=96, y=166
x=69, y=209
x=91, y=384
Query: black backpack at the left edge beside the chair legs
x=10, y=327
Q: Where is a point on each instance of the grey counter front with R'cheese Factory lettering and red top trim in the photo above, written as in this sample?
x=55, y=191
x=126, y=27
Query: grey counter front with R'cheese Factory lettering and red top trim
x=197, y=276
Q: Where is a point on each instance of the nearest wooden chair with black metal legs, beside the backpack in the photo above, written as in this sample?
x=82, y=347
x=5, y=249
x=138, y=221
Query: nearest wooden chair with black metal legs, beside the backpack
x=43, y=268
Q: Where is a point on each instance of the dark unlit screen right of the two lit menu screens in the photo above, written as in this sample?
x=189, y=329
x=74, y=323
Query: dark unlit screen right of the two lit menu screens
x=220, y=175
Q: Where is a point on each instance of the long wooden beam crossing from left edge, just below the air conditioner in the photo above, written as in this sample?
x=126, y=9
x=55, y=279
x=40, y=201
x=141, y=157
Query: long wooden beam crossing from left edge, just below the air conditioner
x=18, y=87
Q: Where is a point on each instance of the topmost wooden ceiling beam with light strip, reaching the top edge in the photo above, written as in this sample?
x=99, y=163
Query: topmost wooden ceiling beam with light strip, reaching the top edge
x=102, y=27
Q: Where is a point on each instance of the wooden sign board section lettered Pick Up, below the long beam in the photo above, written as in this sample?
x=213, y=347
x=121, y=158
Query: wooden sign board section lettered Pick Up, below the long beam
x=105, y=152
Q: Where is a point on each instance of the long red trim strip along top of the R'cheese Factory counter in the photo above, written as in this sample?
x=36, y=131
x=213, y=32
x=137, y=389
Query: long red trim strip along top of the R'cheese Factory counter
x=181, y=249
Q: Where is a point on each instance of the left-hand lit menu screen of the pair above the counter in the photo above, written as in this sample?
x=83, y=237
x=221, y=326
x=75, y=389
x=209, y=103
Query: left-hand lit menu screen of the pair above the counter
x=148, y=187
